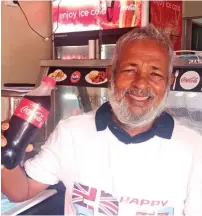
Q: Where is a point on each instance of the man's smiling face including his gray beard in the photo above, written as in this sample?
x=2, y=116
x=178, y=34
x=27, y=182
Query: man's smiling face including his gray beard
x=141, y=80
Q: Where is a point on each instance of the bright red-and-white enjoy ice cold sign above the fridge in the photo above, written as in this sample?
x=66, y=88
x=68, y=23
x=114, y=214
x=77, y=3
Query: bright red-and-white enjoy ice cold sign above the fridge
x=86, y=15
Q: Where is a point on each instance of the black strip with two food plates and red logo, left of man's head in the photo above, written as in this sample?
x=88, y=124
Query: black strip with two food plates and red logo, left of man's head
x=86, y=77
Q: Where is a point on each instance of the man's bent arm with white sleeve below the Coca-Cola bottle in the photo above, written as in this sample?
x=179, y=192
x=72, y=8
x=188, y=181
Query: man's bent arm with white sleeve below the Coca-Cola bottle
x=43, y=171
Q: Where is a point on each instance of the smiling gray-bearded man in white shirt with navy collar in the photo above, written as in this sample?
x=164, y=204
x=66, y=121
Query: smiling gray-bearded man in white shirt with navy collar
x=129, y=157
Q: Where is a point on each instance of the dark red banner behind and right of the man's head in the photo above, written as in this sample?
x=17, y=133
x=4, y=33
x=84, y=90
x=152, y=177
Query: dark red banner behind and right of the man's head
x=167, y=15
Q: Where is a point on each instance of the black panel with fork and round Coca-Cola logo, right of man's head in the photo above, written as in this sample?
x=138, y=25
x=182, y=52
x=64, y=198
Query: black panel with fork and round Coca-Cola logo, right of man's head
x=187, y=79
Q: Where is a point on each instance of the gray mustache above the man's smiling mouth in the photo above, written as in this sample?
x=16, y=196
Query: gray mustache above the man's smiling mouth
x=139, y=92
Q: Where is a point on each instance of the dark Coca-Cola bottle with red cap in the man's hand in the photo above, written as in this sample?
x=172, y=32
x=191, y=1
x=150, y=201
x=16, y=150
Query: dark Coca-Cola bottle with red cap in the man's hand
x=28, y=118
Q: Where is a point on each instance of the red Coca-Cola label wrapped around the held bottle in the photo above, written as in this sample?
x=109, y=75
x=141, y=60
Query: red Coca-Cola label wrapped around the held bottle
x=31, y=112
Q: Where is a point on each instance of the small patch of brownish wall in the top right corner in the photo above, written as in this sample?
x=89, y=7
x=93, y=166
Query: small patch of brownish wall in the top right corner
x=192, y=8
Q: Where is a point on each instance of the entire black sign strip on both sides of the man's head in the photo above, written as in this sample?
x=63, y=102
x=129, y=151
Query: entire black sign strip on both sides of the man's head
x=185, y=78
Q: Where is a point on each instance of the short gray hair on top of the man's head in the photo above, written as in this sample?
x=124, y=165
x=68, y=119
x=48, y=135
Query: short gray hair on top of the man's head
x=143, y=33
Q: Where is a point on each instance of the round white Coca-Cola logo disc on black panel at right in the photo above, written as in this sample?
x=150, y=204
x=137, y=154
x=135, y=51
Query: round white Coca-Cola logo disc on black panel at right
x=189, y=80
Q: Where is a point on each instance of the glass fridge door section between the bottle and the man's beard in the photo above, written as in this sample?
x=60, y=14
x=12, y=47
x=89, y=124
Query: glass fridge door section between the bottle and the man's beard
x=69, y=101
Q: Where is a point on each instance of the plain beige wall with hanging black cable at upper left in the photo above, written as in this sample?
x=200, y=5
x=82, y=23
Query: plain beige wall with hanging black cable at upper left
x=22, y=49
